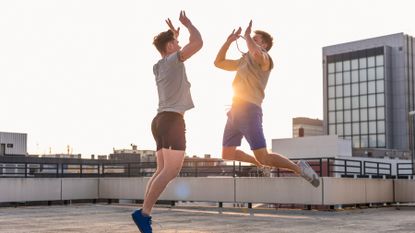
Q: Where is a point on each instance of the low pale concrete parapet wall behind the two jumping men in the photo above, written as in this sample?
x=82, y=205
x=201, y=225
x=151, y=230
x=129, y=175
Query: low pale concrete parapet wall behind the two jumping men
x=283, y=190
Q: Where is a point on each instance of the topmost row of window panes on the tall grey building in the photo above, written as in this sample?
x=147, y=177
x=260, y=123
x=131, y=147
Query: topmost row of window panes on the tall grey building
x=354, y=64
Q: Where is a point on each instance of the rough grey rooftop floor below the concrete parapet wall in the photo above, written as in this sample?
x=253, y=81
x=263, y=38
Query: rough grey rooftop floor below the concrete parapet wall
x=116, y=218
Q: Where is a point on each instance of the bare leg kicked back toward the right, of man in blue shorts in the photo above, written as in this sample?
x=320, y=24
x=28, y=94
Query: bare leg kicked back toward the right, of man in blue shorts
x=275, y=160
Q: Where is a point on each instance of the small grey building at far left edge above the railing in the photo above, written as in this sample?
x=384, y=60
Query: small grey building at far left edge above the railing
x=13, y=144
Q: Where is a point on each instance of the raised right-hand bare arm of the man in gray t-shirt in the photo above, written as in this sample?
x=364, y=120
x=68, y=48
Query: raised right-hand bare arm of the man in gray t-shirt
x=195, y=39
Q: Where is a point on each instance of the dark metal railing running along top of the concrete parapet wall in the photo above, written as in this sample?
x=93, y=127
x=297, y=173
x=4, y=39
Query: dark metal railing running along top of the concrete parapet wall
x=326, y=167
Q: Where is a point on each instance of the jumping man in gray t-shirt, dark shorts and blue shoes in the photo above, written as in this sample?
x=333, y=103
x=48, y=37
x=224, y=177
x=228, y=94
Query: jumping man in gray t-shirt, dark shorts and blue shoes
x=168, y=127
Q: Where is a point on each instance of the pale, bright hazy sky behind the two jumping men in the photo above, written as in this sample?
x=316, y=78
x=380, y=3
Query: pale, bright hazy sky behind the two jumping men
x=79, y=72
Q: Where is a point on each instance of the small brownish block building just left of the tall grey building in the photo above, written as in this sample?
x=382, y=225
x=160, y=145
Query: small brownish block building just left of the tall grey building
x=304, y=127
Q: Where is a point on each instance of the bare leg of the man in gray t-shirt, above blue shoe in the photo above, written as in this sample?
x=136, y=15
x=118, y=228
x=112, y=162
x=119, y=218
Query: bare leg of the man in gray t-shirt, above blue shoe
x=173, y=161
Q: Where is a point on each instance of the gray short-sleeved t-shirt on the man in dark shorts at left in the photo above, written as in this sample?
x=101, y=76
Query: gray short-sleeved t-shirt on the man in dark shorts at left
x=172, y=85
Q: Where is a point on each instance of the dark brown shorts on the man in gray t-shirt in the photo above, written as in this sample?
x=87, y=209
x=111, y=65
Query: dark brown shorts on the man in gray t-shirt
x=168, y=130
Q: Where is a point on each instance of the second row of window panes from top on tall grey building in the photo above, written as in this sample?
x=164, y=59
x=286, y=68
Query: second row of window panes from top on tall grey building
x=354, y=76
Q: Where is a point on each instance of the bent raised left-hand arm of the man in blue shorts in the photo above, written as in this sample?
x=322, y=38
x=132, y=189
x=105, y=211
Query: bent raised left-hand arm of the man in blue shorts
x=221, y=61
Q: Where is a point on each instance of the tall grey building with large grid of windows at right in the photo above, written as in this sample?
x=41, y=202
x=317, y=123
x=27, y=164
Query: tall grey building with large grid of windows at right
x=369, y=93
